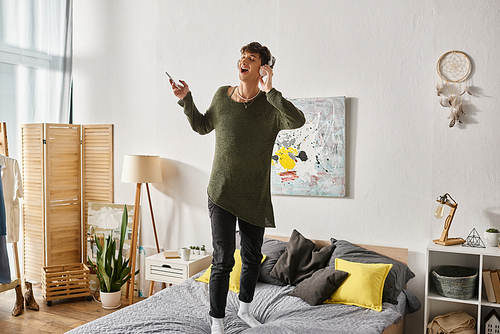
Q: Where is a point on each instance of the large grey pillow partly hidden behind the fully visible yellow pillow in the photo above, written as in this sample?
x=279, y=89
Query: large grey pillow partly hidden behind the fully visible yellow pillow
x=397, y=278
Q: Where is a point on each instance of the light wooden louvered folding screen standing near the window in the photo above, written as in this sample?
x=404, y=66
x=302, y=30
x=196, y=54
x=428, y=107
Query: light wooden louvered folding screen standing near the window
x=53, y=161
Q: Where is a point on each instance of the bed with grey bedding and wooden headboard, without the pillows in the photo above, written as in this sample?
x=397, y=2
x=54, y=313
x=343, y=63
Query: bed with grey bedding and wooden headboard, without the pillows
x=184, y=308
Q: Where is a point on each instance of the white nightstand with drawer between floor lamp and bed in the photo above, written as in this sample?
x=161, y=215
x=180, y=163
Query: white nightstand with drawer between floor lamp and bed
x=174, y=271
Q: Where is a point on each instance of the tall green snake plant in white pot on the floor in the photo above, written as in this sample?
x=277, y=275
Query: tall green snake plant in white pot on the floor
x=112, y=269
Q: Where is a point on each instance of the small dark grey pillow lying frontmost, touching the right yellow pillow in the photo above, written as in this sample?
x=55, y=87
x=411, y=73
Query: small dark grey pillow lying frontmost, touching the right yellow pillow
x=320, y=286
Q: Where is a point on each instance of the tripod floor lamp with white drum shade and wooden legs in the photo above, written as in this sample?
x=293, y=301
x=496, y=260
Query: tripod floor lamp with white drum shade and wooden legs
x=139, y=169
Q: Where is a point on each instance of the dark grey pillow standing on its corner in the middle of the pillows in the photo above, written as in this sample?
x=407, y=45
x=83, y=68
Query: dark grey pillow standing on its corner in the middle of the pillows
x=300, y=259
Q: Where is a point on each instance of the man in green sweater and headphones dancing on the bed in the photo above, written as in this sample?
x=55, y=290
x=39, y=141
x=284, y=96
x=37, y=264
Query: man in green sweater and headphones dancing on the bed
x=246, y=119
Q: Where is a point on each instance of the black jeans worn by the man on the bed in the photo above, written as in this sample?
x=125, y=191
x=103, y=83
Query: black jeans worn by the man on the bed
x=223, y=242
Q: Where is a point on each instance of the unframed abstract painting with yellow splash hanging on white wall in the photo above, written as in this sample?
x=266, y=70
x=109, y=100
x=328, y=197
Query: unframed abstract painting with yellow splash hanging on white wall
x=310, y=161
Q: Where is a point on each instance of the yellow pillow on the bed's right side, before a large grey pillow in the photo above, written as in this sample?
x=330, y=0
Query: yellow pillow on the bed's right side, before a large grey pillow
x=364, y=285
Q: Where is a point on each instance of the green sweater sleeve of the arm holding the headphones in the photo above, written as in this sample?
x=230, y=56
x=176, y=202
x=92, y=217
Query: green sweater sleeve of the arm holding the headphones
x=290, y=116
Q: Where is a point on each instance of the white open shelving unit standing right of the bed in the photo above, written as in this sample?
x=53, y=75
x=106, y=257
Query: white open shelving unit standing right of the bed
x=478, y=258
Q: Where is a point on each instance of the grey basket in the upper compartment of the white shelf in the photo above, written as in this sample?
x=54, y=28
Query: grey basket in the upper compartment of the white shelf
x=455, y=281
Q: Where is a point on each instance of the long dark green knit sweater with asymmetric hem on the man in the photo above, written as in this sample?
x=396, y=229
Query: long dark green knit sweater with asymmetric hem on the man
x=241, y=170
